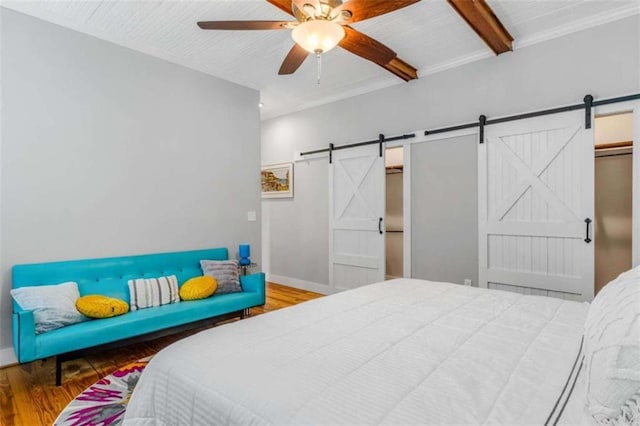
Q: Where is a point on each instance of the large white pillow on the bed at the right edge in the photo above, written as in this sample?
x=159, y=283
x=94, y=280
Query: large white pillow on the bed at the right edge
x=612, y=351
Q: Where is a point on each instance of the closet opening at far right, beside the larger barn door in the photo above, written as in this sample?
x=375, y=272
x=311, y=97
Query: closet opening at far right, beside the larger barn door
x=613, y=196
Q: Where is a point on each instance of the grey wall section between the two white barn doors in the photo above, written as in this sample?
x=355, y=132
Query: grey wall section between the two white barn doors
x=444, y=210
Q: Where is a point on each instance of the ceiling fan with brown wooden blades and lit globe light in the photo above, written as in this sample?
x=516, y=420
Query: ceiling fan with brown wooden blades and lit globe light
x=323, y=24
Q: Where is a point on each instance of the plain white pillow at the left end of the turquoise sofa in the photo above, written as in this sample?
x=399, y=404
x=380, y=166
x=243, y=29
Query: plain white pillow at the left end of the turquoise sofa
x=53, y=306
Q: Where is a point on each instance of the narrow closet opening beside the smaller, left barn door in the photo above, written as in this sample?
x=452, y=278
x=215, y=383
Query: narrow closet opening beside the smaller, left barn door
x=394, y=235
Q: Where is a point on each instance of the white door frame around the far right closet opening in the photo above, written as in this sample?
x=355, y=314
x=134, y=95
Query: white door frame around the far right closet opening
x=619, y=108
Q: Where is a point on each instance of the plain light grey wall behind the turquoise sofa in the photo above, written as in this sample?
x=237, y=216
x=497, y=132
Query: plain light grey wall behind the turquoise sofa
x=109, y=152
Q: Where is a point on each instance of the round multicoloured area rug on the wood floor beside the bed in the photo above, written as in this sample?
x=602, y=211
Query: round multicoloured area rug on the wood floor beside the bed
x=104, y=402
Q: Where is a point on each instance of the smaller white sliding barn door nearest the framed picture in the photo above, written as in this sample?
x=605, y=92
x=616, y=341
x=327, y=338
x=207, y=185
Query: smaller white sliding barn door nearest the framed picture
x=356, y=212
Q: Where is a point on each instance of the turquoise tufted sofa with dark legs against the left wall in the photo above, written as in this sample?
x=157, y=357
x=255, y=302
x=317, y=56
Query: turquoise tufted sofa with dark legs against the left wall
x=109, y=276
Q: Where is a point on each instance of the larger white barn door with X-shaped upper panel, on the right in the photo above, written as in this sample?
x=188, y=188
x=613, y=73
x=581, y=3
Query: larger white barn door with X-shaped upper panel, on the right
x=536, y=189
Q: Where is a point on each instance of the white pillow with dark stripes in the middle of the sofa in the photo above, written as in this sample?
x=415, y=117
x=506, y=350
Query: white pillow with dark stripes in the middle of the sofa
x=149, y=292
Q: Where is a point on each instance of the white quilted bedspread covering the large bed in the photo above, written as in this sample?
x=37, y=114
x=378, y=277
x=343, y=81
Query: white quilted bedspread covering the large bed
x=399, y=352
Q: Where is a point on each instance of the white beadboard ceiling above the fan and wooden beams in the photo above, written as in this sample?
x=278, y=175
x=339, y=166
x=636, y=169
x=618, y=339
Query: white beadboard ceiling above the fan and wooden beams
x=429, y=35
